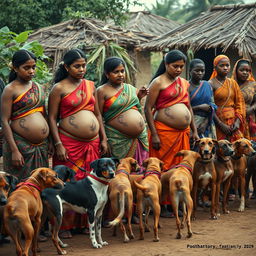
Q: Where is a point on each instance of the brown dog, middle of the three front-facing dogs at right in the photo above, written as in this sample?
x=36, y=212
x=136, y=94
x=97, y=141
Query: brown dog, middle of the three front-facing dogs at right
x=225, y=171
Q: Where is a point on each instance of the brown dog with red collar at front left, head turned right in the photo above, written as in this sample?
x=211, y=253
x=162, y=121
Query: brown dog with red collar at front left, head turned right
x=22, y=213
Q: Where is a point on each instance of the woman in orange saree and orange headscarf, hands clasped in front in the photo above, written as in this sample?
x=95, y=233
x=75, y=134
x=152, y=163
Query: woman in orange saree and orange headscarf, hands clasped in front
x=228, y=97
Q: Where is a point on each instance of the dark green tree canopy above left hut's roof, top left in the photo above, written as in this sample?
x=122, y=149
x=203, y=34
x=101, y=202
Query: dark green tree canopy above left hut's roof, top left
x=32, y=14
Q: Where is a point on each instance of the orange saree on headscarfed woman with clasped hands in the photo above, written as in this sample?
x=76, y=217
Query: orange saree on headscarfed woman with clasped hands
x=231, y=106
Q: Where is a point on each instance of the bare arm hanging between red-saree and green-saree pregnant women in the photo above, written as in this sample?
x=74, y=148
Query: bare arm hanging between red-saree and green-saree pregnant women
x=98, y=109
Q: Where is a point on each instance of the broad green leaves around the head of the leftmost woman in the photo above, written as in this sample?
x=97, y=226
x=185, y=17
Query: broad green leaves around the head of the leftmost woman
x=11, y=42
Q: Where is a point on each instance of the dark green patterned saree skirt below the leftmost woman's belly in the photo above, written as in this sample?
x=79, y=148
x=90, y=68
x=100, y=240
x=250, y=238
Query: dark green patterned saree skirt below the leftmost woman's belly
x=35, y=156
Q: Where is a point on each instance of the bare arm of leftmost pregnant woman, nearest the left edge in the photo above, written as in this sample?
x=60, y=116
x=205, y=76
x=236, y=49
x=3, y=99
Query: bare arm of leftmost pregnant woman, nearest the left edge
x=6, y=110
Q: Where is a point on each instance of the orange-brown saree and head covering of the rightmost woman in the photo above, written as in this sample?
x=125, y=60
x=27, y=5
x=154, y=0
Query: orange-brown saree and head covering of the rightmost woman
x=248, y=90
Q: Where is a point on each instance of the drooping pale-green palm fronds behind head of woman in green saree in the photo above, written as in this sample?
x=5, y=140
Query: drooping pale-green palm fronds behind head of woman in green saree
x=101, y=52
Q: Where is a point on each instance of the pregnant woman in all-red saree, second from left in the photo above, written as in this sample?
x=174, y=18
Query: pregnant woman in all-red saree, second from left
x=75, y=121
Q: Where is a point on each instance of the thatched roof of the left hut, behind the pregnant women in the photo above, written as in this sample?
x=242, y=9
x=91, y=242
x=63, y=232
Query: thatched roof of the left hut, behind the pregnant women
x=61, y=37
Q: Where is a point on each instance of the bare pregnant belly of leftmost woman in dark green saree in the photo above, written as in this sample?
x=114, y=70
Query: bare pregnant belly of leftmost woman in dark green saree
x=33, y=127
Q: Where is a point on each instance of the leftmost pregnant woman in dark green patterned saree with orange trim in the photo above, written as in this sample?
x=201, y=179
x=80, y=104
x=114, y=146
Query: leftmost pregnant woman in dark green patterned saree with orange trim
x=24, y=126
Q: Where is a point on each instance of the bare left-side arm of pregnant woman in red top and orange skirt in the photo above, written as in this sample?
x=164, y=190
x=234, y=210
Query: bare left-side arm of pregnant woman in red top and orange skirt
x=154, y=90
